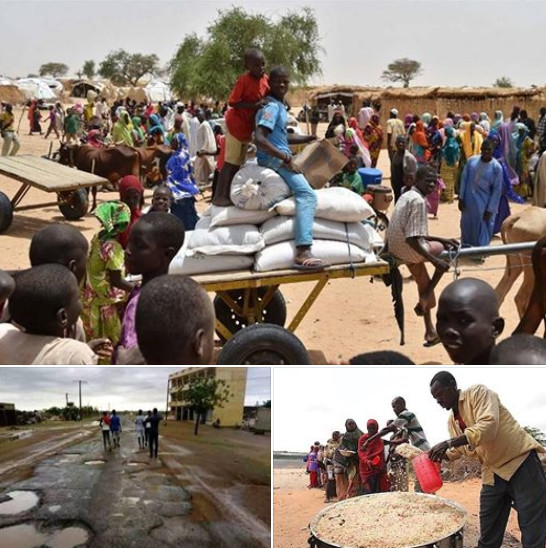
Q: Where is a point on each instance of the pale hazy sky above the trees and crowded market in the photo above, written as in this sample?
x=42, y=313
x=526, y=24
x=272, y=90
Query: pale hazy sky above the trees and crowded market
x=468, y=42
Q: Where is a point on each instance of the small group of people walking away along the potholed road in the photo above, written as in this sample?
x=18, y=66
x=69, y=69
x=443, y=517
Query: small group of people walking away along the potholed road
x=146, y=430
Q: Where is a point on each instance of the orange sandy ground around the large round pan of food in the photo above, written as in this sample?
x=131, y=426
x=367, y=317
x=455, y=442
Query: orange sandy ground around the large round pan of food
x=294, y=506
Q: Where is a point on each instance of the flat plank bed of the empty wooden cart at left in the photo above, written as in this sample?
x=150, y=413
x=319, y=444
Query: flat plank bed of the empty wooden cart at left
x=47, y=175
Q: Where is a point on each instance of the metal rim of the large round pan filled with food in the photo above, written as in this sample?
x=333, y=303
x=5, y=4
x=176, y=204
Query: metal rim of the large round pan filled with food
x=452, y=540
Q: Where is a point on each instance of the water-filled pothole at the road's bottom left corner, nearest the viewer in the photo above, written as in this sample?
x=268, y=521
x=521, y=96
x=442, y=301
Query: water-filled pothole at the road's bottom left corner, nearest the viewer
x=27, y=536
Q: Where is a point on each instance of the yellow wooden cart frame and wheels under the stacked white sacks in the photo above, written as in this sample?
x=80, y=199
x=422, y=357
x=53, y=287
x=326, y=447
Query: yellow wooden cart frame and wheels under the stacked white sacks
x=245, y=297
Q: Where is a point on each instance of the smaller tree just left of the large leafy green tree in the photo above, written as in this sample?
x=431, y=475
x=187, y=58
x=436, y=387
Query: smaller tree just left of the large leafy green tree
x=124, y=68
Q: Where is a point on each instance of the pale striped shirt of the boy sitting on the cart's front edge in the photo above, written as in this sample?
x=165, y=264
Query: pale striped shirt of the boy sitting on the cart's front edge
x=409, y=219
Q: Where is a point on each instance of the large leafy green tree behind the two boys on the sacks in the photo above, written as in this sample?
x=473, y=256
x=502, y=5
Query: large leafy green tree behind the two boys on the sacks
x=209, y=66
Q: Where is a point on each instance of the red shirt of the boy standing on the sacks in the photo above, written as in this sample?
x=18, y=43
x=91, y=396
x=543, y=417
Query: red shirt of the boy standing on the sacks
x=247, y=89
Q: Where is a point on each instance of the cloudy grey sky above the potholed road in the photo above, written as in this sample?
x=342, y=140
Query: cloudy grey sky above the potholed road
x=107, y=388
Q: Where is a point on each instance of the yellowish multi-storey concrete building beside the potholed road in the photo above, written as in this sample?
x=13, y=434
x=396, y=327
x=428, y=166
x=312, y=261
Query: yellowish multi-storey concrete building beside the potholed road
x=231, y=414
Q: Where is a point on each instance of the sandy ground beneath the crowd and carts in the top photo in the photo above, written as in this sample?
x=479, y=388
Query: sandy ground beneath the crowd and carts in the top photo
x=348, y=318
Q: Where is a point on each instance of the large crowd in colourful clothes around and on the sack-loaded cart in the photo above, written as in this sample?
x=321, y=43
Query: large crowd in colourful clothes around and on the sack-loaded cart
x=484, y=162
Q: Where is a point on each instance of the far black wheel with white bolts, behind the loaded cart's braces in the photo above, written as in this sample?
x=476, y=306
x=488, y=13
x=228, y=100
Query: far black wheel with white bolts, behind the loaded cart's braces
x=274, y=312
